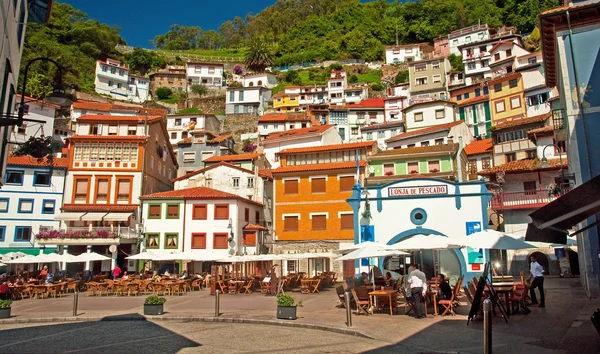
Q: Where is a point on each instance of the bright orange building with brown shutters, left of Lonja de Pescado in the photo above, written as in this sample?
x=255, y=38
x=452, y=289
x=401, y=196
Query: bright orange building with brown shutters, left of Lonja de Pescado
x=311, y=213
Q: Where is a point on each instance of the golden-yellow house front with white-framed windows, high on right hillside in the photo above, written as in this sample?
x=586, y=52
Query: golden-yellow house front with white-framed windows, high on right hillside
x=507, y=98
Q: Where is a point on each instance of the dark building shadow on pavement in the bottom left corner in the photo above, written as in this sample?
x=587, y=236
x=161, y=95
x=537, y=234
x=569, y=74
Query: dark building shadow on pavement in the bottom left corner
x=130, y=333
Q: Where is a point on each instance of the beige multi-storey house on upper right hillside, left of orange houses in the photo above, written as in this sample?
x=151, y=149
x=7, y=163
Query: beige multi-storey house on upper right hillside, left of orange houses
x=429, y=79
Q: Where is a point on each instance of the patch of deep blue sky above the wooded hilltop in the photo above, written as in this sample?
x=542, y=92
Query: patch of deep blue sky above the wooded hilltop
x=142, y=20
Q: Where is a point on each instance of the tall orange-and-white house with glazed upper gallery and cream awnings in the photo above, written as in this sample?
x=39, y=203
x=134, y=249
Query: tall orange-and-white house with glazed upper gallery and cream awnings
x=112, y=161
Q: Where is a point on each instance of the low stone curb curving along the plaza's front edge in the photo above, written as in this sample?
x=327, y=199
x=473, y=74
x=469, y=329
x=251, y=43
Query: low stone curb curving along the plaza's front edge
x=340, y=330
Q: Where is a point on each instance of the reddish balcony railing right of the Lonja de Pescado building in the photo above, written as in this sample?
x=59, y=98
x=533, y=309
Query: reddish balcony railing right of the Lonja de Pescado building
x=525, y=199
